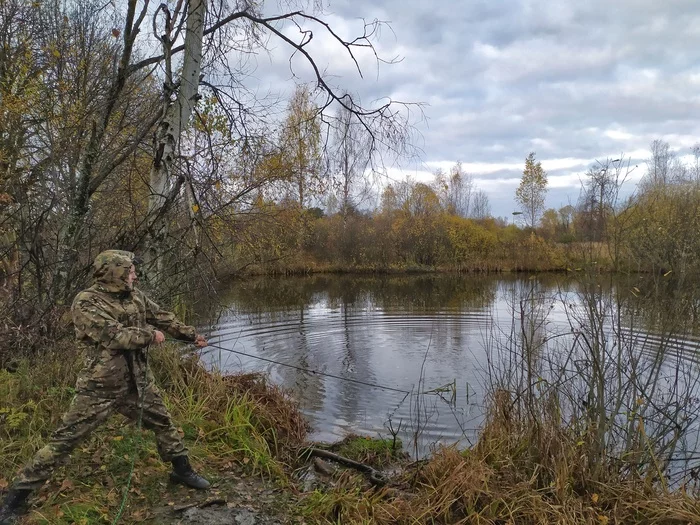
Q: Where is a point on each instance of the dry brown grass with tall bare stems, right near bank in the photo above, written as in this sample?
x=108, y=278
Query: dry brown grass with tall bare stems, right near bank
x=593, y=423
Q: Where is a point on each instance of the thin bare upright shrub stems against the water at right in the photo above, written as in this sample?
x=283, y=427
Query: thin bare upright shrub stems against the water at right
x=621, y=391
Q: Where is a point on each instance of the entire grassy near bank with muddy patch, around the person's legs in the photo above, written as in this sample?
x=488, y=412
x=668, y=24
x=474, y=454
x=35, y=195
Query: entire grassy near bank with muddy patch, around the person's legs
x=528, y=466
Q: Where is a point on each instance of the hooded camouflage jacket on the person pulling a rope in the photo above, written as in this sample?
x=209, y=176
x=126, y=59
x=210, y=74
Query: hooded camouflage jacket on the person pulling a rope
x=117, y=323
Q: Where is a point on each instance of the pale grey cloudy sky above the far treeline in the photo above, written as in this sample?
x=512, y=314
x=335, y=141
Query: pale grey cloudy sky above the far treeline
x=576, y=82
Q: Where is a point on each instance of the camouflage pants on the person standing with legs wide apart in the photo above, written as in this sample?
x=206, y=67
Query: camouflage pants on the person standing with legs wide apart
x=84, y=415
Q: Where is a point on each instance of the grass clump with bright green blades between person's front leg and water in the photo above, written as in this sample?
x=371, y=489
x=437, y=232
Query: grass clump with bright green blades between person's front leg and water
x=243, y=414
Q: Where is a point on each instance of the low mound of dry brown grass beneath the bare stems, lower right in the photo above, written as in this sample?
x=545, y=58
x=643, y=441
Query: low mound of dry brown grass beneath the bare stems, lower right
x=514, y=475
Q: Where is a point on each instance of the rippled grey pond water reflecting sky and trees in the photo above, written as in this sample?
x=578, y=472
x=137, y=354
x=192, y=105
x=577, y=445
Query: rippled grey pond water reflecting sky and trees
x=432, y=336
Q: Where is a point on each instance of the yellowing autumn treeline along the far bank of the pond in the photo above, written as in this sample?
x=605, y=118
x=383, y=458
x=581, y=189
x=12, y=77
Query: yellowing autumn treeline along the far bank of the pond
x=447, y=225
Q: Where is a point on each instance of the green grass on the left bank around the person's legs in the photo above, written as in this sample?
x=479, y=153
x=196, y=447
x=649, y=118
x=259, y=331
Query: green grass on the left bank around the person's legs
x=228, y=422
